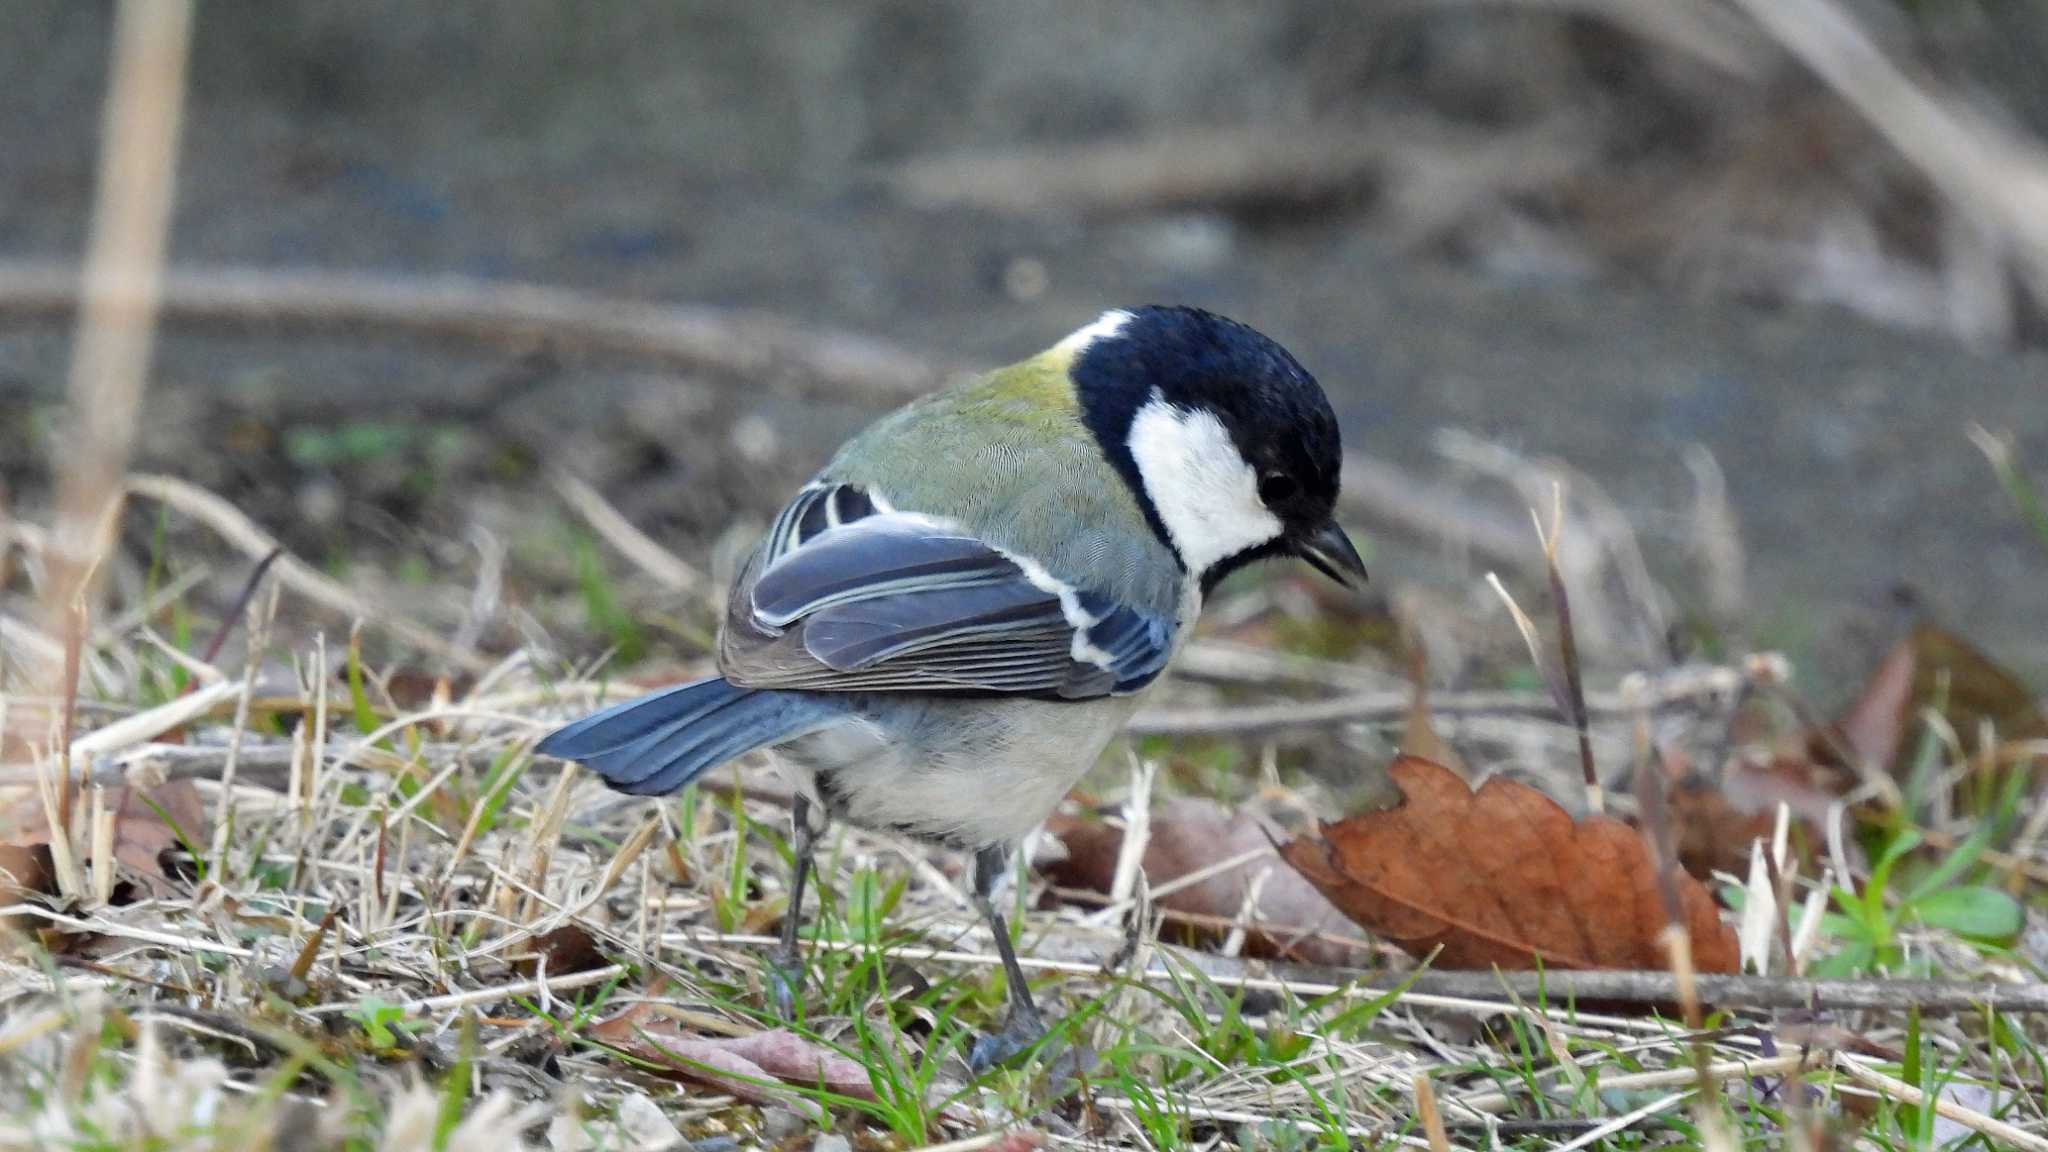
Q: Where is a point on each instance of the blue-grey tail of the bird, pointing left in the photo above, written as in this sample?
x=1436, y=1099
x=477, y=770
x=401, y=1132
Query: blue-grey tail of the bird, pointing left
x=663, y=741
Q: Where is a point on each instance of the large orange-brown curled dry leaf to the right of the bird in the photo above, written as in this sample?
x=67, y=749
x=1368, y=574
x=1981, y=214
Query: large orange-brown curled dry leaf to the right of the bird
x=1506, y=878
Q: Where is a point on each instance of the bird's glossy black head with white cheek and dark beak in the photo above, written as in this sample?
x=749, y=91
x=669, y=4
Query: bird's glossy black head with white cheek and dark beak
x=1224, y=438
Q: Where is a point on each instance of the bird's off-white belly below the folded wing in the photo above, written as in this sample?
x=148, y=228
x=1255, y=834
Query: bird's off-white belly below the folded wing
x=962, y=772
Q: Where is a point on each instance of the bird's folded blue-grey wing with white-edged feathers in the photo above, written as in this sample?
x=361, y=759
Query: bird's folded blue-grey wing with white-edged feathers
x=892, y=602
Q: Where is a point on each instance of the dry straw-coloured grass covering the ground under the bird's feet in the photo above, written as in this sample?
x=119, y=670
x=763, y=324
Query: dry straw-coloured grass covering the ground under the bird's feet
x=380, y=917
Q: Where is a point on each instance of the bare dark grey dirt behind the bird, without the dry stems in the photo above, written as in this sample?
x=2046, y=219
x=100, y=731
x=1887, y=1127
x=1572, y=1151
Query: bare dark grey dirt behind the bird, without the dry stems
x=730, y=157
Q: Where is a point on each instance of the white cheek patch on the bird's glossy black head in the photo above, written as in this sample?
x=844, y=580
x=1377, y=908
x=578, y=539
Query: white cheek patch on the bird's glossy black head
x=1201, y=485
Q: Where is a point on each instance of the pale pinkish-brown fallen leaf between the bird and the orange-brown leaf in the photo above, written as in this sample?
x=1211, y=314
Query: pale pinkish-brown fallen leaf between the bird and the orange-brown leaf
x=1189, y=835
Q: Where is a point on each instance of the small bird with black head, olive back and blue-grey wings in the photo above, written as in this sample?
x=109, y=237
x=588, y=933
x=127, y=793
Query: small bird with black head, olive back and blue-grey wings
x=945, y=628
